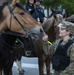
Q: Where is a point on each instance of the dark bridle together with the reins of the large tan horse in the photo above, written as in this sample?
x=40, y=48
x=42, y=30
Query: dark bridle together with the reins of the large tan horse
x=27, y=34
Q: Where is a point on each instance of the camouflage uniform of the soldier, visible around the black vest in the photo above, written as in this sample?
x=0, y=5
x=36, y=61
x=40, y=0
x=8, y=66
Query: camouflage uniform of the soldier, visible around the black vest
x=70, y=69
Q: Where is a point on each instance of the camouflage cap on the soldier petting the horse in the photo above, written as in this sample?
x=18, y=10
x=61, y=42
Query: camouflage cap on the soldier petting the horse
x=68, y=26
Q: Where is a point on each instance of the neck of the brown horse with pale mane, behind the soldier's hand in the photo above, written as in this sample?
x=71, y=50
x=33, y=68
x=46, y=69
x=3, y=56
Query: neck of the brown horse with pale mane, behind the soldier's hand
x=48, y=27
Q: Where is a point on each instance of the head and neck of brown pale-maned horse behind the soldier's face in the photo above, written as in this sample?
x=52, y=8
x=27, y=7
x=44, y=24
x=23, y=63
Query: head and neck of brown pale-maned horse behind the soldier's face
x=50, y=26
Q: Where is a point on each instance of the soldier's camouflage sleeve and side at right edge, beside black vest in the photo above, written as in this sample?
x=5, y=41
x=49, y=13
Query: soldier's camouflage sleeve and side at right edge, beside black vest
x=70, y=69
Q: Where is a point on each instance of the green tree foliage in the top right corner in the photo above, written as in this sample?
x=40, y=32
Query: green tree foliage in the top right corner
x=67, y=4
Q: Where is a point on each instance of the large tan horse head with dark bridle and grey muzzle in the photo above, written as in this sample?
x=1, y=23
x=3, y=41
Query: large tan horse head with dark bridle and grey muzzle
x=17, y=19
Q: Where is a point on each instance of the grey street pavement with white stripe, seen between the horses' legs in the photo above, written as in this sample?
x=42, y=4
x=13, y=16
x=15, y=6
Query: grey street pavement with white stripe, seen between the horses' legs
x=30, y=65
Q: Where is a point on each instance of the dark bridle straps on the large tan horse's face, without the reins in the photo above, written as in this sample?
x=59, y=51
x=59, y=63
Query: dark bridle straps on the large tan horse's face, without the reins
x=28, y=33
